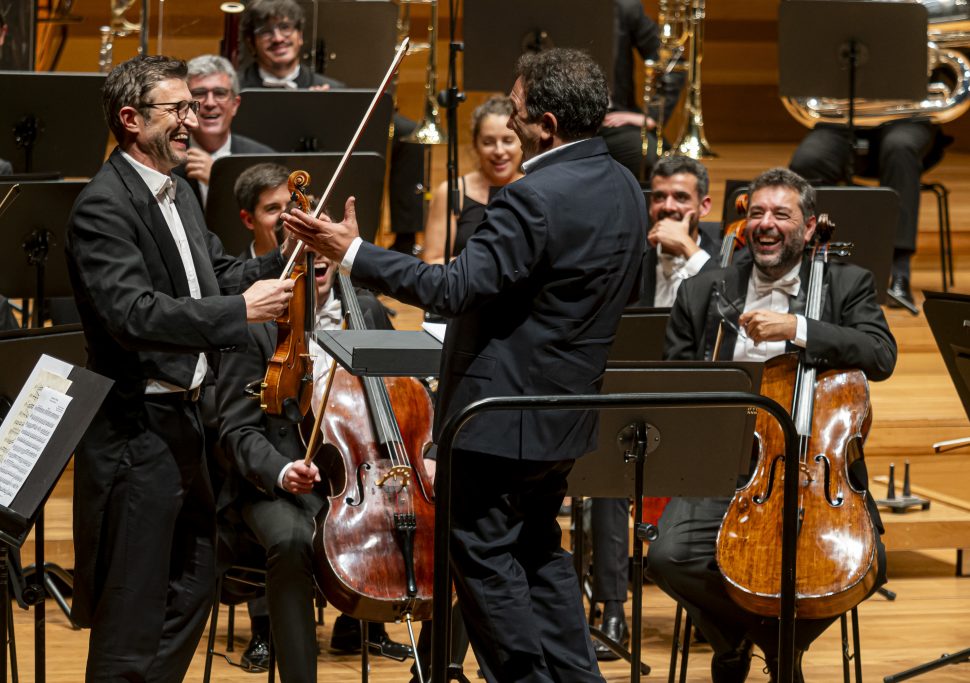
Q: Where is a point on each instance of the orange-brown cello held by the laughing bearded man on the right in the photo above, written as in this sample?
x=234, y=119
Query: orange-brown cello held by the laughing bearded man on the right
x=837, y=561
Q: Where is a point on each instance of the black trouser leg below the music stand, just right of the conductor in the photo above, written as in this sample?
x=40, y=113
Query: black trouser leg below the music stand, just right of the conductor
x=610, y=522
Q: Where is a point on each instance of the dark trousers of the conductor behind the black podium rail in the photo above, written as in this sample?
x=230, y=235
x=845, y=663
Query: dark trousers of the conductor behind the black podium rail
x=517, y=588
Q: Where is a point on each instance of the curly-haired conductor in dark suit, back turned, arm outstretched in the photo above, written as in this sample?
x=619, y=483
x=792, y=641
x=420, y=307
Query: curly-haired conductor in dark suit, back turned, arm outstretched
x=534, y=300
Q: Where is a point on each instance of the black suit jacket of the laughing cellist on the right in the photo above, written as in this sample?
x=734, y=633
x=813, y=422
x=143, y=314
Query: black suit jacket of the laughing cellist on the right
x=852, y=331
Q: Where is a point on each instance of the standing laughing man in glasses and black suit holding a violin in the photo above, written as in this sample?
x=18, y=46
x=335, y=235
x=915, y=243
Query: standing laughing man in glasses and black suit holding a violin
x=156, y=293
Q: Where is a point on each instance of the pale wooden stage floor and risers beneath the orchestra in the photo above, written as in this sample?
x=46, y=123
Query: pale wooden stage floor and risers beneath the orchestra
x=913, y=409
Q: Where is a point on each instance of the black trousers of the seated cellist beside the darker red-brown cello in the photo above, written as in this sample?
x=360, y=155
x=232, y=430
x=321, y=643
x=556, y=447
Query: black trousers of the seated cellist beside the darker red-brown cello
x=284, y=527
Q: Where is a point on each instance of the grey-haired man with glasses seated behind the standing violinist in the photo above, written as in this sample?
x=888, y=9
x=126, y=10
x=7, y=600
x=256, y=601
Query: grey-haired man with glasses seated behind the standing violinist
x=215, y=86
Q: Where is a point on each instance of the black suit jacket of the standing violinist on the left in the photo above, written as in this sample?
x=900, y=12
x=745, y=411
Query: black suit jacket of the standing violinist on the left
x=140, y=321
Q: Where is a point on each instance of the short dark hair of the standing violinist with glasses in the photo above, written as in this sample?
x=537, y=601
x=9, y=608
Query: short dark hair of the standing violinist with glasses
x=129, y=83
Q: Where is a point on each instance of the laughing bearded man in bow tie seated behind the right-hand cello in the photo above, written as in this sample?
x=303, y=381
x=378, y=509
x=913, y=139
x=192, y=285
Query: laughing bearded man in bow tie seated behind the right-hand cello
x=765, y=301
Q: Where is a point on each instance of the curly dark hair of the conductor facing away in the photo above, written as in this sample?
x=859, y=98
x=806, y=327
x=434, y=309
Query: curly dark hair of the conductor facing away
x=568, y=84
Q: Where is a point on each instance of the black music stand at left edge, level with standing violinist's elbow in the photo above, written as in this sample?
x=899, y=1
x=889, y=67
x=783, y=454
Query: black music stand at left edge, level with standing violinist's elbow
x=32, y=238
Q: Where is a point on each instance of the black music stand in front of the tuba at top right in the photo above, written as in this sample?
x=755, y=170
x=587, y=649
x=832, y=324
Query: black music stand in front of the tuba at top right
x=849, y=50
